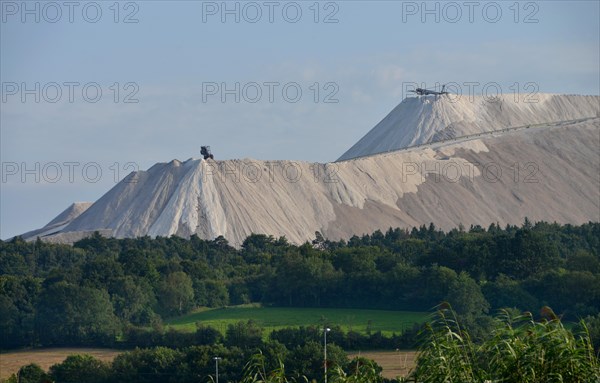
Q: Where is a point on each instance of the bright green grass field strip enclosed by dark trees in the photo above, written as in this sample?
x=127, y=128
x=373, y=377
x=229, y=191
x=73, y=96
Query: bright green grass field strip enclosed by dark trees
x=271, y=318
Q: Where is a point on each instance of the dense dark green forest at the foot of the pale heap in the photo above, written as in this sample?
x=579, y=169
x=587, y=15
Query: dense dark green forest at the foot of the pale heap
x=105, y=291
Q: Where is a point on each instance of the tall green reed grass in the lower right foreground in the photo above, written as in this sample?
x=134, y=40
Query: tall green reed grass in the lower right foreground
x=518, y=350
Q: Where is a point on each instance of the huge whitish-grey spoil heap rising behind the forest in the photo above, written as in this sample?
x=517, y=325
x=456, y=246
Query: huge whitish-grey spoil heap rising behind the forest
x=482, y=163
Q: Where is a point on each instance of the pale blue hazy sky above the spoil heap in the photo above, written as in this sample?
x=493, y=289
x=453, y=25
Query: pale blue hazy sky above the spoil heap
x=94, y=90
